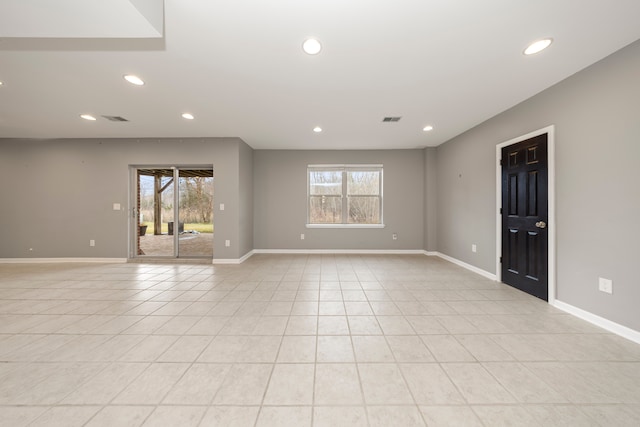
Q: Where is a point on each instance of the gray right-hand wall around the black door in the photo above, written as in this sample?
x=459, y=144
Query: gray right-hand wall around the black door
x=597, y=117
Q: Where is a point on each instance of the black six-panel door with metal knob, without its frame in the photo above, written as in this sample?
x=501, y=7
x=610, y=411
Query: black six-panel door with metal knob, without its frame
x=525, y=216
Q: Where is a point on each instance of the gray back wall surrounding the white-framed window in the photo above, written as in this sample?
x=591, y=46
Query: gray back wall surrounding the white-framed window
x=280, y=200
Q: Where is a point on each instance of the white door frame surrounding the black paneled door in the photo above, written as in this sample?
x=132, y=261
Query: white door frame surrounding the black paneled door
x=551, y=194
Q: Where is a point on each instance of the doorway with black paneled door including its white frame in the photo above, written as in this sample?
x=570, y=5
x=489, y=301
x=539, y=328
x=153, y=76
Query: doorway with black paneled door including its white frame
x=525, y=220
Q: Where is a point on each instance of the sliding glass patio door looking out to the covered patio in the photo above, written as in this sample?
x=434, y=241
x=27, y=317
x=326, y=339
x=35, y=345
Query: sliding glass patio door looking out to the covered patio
x=173, y=215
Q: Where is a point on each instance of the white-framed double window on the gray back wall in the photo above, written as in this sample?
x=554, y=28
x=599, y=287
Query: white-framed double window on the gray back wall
x=344, y=195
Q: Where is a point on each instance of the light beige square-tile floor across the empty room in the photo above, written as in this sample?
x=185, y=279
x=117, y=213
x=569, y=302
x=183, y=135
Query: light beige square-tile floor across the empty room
x=282, y=340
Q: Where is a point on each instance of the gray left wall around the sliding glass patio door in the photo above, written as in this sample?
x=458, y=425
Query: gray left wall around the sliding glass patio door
x=58, y=194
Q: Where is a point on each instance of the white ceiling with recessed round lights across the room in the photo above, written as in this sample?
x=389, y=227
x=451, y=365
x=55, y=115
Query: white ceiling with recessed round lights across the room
x=238, y=66
